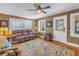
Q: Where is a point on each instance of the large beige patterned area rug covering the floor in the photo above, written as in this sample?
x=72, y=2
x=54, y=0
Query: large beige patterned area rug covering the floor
x=40, y=47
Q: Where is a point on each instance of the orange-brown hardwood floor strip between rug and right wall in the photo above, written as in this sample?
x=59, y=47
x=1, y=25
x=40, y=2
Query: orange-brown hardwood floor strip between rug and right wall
x=72, y=48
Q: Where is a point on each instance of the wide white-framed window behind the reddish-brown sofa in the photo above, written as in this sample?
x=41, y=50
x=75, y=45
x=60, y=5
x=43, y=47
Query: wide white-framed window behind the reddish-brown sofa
x=18, y=24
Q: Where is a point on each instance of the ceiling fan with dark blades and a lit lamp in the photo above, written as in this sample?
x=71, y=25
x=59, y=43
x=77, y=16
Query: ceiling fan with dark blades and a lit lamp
x=39, y=8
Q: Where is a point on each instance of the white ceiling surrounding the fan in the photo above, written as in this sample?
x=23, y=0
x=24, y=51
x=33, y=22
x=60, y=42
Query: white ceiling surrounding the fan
x=20, y=9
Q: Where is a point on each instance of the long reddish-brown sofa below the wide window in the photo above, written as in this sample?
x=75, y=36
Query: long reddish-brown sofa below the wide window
x=19, y=36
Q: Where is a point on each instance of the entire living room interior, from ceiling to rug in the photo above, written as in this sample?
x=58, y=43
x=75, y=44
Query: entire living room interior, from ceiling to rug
x=38, y=28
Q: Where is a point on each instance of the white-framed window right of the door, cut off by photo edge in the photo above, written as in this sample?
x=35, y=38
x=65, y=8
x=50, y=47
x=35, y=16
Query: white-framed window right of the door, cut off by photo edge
x=74, y=25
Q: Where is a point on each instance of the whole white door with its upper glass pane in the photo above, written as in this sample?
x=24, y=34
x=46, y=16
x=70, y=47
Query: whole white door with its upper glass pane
x=60, y=29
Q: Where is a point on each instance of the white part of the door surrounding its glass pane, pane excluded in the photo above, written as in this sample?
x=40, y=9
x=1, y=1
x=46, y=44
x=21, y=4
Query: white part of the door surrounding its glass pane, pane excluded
x=60, y=36
